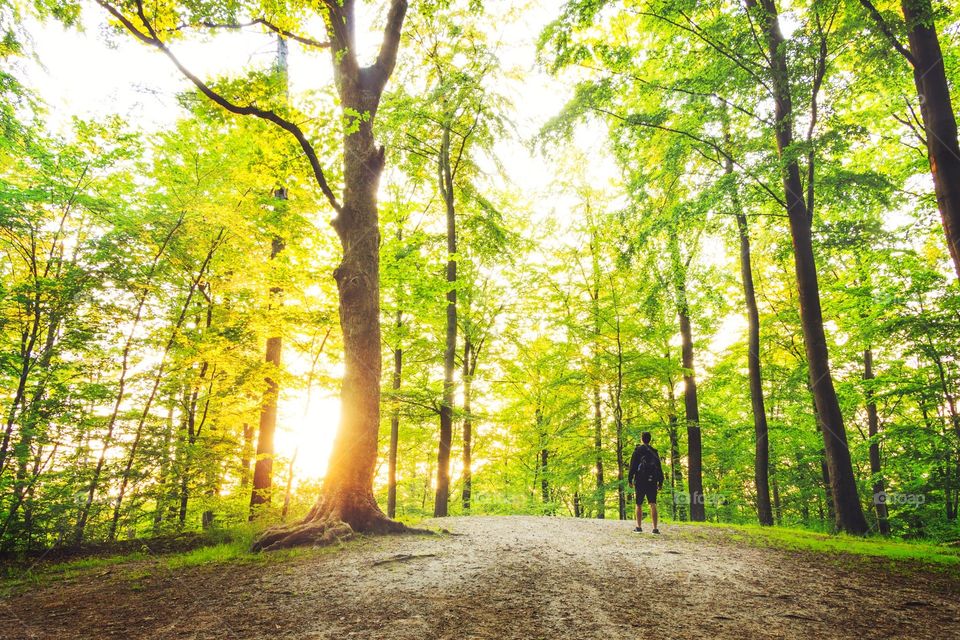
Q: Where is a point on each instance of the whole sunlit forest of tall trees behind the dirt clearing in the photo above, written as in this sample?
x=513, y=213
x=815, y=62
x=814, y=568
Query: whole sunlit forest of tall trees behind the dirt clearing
x=371, y=263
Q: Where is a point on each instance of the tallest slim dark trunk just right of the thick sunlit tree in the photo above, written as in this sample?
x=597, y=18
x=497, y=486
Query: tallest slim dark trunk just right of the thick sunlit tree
x=450, y=352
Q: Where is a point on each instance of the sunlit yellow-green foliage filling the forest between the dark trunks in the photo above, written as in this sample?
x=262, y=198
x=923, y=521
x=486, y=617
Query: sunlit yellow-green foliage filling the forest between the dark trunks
x=137, y=288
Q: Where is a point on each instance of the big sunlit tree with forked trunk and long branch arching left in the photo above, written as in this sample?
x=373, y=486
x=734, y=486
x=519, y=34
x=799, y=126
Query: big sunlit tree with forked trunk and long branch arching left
x=347, y=501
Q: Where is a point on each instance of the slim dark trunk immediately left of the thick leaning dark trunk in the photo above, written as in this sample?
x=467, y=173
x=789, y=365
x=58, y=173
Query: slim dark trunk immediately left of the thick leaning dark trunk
x=761, y=462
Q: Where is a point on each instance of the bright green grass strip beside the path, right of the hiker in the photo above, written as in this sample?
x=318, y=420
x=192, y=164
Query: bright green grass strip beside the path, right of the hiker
x=895, y=550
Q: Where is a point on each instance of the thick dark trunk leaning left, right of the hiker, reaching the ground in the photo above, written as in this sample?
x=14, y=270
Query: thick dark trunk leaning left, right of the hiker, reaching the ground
x=849, y=512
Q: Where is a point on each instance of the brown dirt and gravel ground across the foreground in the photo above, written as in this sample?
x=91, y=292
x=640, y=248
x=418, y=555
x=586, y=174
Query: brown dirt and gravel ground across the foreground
x=504, y=578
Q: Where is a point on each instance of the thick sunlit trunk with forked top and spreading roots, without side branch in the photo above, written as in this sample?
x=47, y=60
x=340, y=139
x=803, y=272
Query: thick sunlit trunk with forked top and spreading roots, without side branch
x=347, y=503
